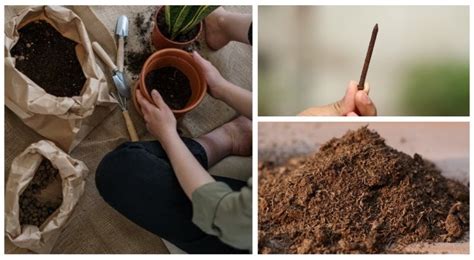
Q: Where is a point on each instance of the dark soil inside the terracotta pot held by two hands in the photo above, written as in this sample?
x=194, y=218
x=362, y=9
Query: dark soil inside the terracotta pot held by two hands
x=172, y=85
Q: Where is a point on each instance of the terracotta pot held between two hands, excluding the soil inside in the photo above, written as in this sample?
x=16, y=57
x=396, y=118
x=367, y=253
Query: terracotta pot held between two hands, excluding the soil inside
x=184, y=62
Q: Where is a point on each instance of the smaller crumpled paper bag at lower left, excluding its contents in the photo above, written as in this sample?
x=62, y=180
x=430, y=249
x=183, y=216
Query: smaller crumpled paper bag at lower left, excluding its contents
x=24, y=167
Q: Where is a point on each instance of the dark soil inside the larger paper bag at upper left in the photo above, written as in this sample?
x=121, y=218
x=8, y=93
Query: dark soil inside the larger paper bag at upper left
x=49, y=59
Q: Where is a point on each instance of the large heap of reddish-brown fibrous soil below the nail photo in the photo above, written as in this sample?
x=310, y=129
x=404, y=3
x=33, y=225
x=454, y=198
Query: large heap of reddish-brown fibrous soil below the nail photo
x=357, y=195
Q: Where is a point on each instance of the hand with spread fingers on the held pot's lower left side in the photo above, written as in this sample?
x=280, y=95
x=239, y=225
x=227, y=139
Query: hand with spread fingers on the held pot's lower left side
x=159, y=119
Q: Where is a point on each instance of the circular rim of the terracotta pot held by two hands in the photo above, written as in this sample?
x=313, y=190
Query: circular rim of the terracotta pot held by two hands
x=175, y=53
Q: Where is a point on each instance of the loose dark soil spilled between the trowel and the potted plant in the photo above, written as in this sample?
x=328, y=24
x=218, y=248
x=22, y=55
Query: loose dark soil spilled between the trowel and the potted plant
x=134, y=59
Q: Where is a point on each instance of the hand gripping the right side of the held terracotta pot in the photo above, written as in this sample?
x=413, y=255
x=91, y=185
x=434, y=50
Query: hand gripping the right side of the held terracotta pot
x=214, y=79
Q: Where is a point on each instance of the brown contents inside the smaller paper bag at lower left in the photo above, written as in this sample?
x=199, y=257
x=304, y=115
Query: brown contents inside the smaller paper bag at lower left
x=35, y=207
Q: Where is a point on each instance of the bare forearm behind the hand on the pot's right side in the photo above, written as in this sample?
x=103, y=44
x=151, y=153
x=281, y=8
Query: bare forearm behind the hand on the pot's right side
x=238, y=98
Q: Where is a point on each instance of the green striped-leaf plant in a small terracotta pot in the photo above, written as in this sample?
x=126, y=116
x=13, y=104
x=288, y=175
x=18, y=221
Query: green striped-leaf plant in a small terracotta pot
x=177, y=26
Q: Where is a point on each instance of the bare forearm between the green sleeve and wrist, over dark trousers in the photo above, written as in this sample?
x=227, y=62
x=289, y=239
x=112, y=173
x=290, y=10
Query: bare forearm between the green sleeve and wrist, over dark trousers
x=191, y=175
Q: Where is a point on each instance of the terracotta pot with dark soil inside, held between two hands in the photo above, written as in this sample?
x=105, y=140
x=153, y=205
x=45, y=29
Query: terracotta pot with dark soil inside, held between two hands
x=176, y=76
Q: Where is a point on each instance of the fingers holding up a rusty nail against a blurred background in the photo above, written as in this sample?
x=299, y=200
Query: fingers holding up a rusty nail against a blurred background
x=354, y=103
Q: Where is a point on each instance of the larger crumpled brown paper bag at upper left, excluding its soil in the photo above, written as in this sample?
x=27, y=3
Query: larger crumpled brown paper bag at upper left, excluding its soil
x=64, y=120
